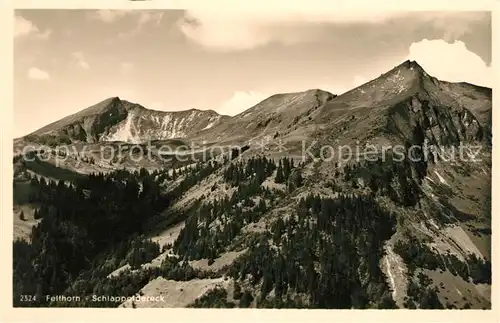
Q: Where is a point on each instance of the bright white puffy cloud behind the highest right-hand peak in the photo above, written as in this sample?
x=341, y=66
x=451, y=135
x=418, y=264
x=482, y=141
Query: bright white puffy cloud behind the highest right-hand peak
x=451, y=62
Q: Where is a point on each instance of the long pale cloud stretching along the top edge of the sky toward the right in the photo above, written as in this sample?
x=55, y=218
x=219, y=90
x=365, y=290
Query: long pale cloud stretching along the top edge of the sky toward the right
x=247, y=28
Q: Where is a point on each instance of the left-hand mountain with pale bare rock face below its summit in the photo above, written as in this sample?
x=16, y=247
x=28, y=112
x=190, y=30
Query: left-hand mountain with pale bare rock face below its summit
x=118, y=120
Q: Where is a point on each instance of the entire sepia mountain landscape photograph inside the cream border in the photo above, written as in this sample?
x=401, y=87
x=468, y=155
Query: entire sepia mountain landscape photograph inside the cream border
x=252, y=159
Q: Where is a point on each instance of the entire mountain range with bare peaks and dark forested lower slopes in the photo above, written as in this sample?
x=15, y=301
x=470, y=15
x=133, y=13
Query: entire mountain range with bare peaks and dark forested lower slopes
x=249, y=227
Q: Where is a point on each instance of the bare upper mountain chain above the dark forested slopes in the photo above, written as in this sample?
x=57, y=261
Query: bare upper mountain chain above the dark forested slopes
x=282, y=114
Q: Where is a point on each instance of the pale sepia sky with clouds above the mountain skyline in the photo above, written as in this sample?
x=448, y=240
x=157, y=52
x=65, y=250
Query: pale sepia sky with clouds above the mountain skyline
x=170, y=60
